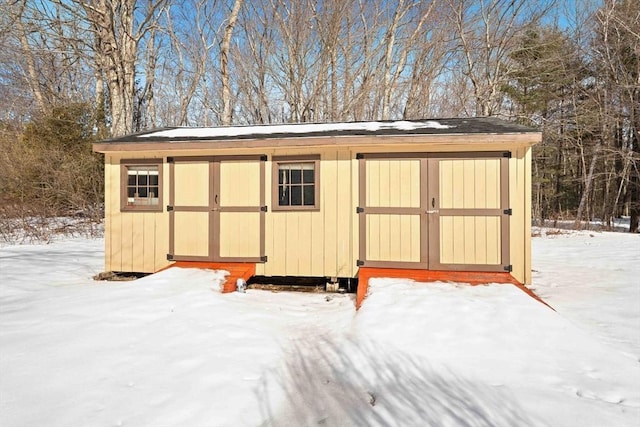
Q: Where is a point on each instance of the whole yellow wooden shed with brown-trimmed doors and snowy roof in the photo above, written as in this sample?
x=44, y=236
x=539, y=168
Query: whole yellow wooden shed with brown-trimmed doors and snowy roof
x=448, y=196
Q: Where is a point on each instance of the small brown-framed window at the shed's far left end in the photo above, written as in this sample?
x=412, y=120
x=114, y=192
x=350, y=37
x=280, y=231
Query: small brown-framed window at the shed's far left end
x=141, y=188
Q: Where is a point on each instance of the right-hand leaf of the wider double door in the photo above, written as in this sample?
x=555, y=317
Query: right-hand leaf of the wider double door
x=469, y=213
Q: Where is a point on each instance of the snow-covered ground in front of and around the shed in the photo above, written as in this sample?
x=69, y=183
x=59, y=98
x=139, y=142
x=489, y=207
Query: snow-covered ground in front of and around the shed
x=170, y=350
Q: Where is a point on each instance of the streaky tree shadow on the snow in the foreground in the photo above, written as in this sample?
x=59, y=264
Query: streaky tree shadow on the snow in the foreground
x=349, y=383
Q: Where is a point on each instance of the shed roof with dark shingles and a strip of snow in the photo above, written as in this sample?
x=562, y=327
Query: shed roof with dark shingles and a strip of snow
x=180, y=136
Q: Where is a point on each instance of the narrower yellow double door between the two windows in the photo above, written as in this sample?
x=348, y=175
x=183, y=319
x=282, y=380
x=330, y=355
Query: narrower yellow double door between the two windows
x=217, y=208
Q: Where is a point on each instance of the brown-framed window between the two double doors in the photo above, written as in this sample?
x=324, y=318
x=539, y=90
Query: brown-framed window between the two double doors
x=296, y=183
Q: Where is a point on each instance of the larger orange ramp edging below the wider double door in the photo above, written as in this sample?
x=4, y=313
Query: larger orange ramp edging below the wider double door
x=473, y=278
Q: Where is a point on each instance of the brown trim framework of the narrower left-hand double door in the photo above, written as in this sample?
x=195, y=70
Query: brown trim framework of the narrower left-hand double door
x=214, y=209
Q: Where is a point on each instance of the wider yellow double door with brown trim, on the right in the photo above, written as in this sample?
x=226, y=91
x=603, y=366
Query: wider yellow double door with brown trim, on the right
x=441, y=211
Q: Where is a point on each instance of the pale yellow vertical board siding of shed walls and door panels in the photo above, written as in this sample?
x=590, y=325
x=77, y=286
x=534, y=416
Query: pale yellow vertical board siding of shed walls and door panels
x=326, y=242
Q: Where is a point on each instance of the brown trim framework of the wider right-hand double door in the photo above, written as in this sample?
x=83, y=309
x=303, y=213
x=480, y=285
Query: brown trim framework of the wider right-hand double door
x=430, y=215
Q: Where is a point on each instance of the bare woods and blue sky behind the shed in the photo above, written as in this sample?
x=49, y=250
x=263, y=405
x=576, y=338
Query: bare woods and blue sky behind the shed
x=72, y=72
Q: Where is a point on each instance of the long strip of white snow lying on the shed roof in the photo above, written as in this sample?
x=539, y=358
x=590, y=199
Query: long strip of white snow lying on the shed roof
x=303, y=128
